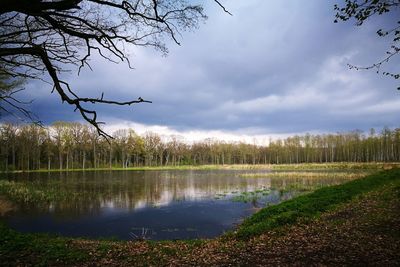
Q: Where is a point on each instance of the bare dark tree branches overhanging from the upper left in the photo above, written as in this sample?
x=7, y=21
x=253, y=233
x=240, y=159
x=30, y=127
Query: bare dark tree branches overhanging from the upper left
x=39, y=39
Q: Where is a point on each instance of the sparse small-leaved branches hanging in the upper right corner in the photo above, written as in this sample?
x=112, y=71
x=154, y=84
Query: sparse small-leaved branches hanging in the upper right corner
x=361, y=11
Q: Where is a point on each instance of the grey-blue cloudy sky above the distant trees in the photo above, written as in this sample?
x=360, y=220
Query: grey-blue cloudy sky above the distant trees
x=273, y=69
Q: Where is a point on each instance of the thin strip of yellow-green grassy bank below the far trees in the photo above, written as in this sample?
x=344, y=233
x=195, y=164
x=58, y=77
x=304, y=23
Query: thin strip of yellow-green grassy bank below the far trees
x=302, y=166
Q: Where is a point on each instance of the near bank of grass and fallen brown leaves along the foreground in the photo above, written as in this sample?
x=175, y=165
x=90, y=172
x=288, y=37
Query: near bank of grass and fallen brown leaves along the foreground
x=299, y=229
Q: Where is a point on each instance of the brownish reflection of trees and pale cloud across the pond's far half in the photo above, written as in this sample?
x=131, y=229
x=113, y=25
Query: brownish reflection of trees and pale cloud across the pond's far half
x=85, y=193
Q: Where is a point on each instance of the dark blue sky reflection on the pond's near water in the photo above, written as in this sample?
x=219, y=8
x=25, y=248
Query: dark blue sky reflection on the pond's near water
x=180, y=220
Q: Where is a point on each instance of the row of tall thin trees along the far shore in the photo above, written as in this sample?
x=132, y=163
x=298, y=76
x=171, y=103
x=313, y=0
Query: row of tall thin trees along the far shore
x=66, y=145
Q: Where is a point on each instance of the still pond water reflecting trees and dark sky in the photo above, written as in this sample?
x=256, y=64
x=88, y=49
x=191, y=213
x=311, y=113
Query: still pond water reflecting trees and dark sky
x=155, y=205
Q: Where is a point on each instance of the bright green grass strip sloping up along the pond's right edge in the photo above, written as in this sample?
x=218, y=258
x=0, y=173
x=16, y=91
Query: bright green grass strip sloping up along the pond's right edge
x=309, y=206
